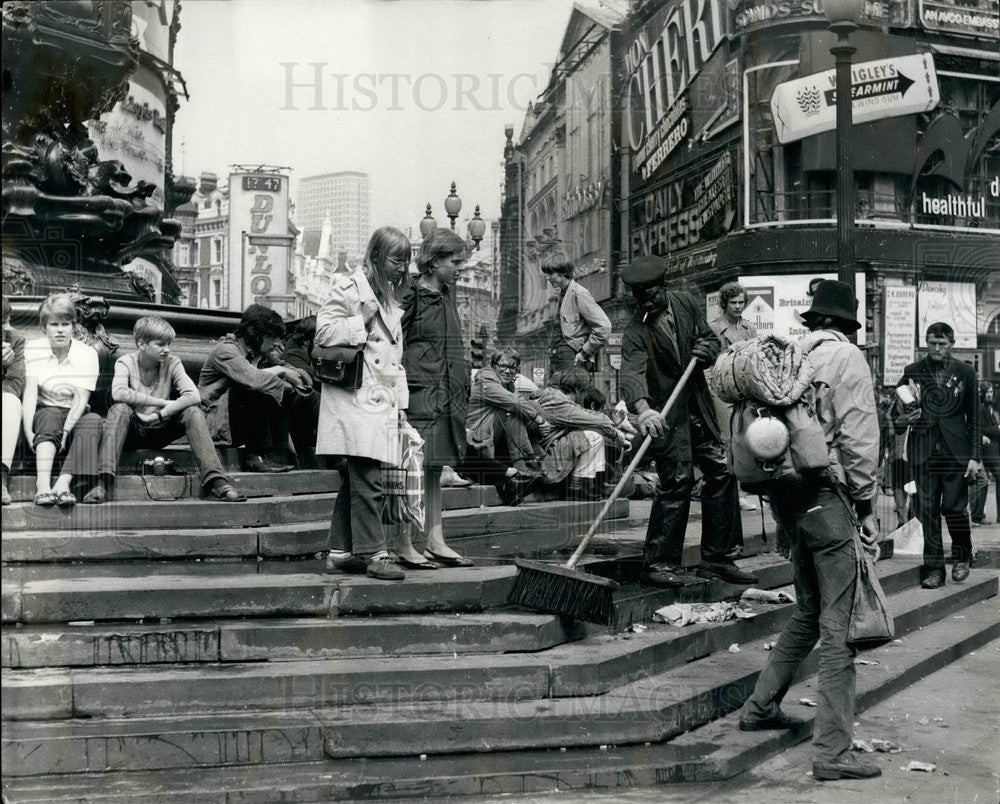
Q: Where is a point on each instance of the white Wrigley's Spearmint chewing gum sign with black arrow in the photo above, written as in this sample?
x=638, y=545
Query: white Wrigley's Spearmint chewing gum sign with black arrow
x=884, y=88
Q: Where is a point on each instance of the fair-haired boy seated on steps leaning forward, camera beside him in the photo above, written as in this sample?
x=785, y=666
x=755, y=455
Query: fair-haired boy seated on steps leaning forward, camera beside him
x=156, y=402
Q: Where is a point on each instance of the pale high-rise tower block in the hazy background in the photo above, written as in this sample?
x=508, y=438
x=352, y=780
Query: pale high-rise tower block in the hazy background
x=344, y=198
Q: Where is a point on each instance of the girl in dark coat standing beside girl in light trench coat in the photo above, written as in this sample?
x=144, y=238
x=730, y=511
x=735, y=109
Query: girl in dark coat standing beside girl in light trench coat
x=438, y=378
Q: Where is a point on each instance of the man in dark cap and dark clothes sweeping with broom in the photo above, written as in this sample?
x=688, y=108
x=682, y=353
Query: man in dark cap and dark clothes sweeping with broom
x=657, y=345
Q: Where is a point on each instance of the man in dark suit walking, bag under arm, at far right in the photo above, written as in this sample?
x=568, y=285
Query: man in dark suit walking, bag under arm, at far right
x=943, y=450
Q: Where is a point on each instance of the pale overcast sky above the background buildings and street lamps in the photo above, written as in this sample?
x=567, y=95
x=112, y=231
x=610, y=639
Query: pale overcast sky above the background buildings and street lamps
x=414, y=92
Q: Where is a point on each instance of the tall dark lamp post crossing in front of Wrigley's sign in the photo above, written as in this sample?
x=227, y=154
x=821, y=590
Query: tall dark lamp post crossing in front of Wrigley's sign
x=843, y=16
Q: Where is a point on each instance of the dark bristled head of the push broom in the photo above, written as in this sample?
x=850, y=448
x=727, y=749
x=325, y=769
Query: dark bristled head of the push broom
x=558, y=590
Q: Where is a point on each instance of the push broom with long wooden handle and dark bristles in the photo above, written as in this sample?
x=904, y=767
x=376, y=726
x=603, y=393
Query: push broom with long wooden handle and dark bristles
x=569, y=592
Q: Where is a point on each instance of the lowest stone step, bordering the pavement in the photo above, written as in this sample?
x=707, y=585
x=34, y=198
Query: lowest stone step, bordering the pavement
x=714, y=752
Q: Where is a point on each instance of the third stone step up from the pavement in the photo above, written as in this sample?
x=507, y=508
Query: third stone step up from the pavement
x=590, y=666
